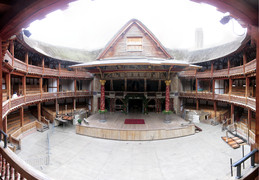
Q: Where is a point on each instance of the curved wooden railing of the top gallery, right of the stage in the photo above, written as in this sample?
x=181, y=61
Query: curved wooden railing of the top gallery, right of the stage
x=239, y=70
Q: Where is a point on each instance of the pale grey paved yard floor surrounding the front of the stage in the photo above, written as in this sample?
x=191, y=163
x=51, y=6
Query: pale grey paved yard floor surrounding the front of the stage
x=200, y=156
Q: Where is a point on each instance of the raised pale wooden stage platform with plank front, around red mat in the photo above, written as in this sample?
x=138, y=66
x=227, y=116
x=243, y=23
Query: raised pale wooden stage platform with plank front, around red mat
x=153, y=129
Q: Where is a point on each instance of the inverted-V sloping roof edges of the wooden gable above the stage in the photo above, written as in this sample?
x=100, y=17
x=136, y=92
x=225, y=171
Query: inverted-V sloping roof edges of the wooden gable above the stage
x=123, y=30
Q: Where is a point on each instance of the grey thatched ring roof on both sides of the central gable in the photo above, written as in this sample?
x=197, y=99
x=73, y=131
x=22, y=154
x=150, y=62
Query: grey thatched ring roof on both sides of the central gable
x=84, y=56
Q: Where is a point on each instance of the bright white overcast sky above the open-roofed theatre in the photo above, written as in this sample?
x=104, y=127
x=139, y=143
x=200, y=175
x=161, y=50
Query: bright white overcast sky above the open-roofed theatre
x=90, y=24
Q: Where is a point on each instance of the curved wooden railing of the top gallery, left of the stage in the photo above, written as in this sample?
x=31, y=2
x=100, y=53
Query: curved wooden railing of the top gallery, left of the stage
x=21, y=66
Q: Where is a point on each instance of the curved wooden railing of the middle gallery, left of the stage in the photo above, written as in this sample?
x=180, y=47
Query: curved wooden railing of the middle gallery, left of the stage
x=14, y=103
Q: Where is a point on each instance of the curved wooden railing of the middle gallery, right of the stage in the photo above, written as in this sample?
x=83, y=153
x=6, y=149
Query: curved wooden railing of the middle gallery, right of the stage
x=241, y=100
